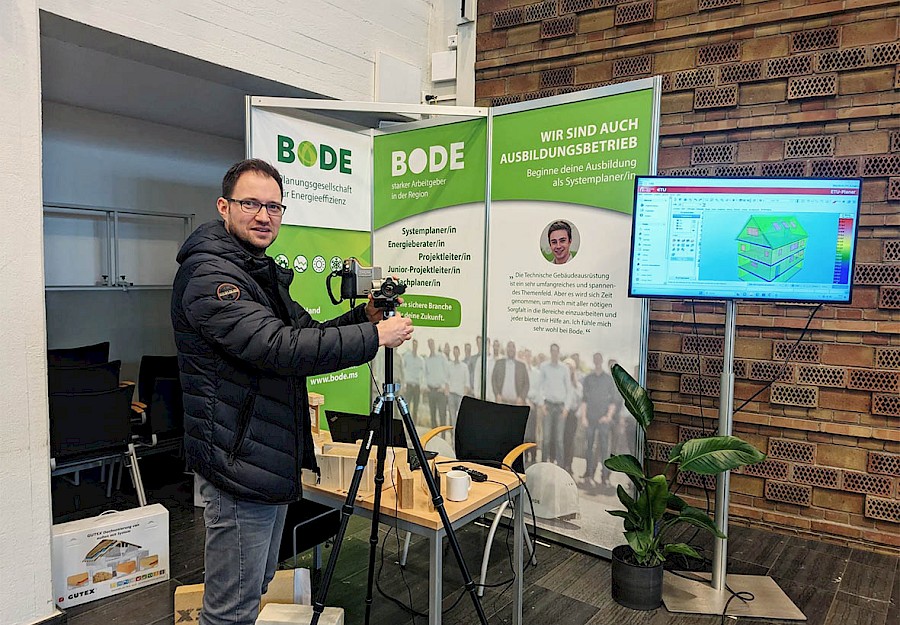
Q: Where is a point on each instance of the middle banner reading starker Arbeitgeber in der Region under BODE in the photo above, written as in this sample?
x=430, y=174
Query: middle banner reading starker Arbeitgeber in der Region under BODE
x=429, y=232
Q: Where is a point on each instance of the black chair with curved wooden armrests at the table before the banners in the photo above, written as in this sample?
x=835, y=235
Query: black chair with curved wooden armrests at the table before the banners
x=491, y=434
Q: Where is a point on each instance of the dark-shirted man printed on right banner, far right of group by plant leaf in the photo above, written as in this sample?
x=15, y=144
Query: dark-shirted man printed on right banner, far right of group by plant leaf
x=600, y=406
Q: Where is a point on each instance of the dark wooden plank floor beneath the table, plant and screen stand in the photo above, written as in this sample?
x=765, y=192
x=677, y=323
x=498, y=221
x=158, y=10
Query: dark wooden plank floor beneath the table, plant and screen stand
x=832, y=585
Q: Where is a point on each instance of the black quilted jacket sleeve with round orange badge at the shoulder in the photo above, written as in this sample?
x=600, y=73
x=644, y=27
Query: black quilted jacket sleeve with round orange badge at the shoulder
x=247, y=330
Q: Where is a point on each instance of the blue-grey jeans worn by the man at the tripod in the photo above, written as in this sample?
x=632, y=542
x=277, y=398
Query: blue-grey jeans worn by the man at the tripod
x=241, y=554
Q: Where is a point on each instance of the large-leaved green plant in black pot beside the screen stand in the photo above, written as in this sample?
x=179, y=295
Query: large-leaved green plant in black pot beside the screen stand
x=653, y=511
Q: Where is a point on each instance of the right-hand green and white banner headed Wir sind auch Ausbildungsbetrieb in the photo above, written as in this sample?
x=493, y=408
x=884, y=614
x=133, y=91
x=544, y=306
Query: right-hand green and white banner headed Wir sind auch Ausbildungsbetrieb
x=560, y=231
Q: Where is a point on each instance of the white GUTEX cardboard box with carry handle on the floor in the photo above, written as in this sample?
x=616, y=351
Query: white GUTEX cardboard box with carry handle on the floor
x=110, y=554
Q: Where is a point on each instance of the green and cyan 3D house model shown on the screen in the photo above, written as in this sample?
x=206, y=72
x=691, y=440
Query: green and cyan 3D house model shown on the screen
x=771, y=248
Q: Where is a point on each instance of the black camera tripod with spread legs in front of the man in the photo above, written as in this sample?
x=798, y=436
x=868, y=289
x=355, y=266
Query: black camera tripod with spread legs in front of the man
x=382, y=413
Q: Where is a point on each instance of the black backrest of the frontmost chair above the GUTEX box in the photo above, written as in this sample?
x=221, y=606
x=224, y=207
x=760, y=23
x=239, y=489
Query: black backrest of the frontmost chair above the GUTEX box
x=85, y=424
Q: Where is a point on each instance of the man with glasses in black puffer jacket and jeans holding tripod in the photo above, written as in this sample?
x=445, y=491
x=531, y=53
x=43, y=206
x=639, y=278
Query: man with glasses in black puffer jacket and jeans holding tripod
x=244, y=351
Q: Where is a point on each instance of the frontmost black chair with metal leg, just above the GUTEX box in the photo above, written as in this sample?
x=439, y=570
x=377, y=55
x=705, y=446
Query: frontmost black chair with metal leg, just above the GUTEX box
x=89, y=429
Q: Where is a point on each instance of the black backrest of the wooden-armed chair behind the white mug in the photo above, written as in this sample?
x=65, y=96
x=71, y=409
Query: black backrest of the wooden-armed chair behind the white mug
x=488, y=431
